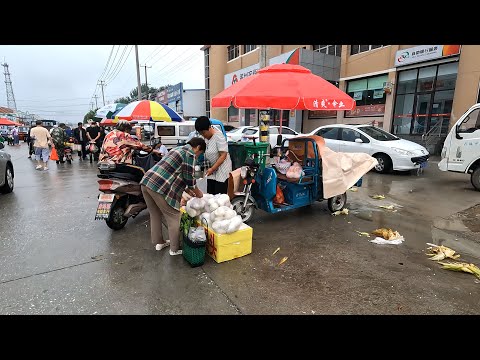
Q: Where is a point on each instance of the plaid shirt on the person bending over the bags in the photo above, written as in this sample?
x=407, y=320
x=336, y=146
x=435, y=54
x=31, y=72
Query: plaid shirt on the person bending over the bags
x=171, y=175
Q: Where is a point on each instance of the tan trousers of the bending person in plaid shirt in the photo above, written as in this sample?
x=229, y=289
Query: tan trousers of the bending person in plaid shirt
x=159, y=210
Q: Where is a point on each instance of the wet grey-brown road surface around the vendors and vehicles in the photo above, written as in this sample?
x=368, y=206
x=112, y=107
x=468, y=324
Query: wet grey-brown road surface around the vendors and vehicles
x=56, y=259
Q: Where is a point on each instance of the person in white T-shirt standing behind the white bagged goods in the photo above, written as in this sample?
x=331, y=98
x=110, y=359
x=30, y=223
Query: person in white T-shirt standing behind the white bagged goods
x=216, y=154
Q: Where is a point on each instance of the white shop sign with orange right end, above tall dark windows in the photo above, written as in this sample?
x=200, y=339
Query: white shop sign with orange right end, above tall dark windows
x=424, y=53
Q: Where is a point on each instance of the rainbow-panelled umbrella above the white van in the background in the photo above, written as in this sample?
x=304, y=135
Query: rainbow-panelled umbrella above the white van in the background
x=147, y=110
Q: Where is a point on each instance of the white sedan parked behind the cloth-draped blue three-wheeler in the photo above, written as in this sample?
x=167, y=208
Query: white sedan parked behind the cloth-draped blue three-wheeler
x=392, y=152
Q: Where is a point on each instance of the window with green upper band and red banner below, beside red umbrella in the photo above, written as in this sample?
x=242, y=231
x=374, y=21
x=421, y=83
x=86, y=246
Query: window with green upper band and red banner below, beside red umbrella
x=369, y=96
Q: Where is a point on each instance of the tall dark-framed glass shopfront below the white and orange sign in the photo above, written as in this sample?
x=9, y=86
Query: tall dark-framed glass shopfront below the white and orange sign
x=424, y=99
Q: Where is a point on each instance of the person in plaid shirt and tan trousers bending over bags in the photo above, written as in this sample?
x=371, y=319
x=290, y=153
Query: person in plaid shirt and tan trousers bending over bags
x=162, y=188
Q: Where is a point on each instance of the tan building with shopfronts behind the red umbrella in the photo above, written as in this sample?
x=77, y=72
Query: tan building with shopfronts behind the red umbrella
x=415, y=91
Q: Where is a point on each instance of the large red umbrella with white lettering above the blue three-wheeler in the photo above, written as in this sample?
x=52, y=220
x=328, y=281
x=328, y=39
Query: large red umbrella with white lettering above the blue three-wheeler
x=284, y=87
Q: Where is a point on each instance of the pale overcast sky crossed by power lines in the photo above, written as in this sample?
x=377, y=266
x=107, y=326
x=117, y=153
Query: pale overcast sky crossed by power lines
x=59, y=81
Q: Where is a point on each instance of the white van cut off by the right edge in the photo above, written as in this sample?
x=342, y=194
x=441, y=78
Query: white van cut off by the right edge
x=461, y=149
